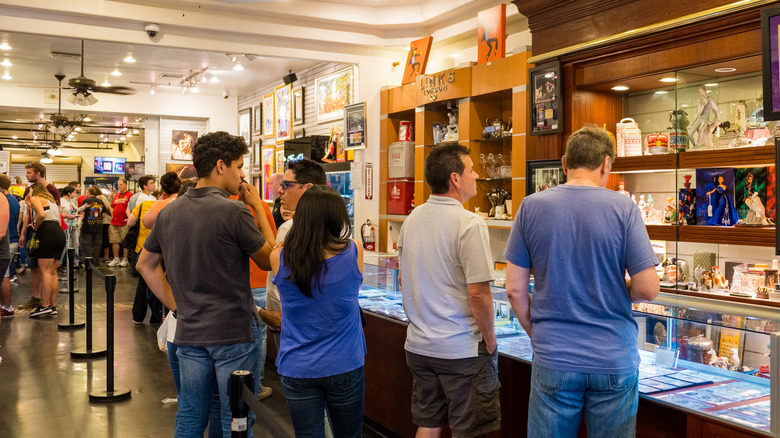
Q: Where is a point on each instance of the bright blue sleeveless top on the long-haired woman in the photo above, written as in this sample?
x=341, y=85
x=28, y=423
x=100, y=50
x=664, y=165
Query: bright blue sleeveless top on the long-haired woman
x=322, y=335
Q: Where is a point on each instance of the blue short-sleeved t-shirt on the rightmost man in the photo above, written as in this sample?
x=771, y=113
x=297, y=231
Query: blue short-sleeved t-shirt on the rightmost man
x=580, y=241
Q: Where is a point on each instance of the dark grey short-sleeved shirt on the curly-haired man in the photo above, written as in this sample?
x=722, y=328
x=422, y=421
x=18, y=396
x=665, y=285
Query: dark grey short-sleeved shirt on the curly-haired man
x=205, y=239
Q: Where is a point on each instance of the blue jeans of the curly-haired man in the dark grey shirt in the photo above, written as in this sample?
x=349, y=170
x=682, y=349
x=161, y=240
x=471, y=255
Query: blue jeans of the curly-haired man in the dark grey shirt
x=202, y=368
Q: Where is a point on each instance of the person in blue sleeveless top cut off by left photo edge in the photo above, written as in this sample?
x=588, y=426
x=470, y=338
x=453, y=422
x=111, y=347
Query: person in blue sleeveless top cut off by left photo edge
x=12, y=236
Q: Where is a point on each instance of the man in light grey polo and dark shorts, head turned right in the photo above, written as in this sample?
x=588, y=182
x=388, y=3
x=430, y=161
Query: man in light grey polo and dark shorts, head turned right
x=444, y=252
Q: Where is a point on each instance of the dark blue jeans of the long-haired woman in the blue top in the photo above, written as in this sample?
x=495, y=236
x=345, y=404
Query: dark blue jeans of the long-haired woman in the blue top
x=341, y=395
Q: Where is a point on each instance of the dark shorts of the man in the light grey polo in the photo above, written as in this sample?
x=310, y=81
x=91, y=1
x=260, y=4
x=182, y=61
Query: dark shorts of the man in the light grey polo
x=461, y=392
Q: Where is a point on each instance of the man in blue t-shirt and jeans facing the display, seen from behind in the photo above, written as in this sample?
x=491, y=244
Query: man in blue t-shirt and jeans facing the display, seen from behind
x=580, y=239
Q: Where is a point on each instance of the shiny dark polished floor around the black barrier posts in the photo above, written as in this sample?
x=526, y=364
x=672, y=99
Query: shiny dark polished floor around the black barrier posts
x=45, y=393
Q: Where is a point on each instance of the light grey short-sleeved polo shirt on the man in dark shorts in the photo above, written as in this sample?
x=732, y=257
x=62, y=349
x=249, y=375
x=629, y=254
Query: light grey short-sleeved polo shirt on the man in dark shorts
x=442, y=248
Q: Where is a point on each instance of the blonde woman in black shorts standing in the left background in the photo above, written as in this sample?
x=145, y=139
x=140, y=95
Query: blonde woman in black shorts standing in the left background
x=51, y=242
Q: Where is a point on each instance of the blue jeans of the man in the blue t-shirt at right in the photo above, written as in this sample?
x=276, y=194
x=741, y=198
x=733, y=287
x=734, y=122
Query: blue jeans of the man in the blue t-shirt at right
x=557, y=399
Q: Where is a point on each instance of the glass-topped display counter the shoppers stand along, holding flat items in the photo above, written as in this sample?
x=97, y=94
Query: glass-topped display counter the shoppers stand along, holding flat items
x=705, y=357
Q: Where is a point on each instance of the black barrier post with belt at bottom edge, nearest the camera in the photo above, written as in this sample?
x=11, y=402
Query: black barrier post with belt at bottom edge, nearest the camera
x=242, y=399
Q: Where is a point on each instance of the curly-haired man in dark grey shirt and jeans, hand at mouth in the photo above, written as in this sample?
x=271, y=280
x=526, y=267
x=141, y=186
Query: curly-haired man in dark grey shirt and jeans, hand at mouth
x=207, y=281
